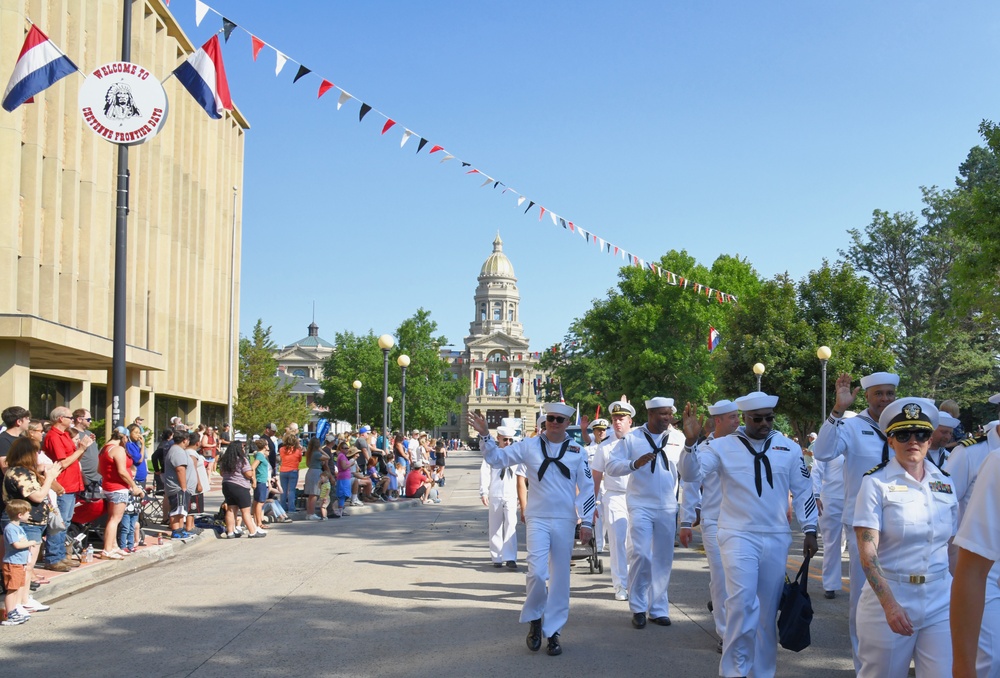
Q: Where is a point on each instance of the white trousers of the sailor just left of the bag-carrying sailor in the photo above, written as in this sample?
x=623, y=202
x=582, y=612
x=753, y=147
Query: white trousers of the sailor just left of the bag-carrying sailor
x=651, y=559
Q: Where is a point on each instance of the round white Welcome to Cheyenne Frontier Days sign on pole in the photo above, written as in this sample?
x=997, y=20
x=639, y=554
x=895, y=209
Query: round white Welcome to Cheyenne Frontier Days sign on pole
x=123, y=103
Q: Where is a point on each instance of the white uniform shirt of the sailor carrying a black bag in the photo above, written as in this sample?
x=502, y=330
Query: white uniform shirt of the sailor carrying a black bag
x=742, y=508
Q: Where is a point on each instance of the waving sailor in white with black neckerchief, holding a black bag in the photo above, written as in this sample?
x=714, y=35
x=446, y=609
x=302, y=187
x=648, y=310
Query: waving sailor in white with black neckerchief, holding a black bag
x=758, y=467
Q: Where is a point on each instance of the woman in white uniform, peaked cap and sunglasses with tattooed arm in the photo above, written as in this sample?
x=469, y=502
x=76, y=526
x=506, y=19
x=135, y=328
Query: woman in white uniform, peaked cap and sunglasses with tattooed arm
x=905, y=514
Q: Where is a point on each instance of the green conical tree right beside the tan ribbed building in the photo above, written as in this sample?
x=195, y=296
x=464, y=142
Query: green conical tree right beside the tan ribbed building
x=260, y=397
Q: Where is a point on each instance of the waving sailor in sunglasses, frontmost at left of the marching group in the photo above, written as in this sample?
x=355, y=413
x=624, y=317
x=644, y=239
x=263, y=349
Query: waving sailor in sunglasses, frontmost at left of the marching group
x=562, y=494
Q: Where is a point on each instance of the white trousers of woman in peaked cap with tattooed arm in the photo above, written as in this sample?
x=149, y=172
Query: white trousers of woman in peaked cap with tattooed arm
x=885, y=654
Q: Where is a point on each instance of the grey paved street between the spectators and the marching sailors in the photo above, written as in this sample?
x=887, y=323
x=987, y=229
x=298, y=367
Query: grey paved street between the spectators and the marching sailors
x=396, y=593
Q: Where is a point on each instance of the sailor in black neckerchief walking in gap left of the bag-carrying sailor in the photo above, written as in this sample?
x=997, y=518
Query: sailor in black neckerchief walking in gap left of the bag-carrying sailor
x=647, y=455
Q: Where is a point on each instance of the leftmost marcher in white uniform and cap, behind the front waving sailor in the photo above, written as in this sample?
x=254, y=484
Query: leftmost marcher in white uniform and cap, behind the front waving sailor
x=498, y=492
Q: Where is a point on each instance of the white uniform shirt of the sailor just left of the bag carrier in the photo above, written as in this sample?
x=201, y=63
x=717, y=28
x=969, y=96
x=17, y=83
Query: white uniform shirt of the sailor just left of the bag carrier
x=652, y=485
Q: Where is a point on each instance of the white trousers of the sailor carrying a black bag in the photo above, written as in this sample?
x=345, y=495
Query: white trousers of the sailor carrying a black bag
x=755, y=565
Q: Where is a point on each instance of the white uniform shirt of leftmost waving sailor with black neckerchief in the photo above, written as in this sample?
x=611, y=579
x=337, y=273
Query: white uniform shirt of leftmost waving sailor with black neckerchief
x=554, y=495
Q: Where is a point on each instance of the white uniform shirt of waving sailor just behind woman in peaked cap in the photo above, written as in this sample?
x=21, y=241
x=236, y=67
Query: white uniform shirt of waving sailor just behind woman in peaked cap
x=858, y=440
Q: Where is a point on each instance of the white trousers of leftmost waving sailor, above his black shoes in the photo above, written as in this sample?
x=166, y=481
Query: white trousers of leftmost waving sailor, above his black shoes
x=550, y=548
